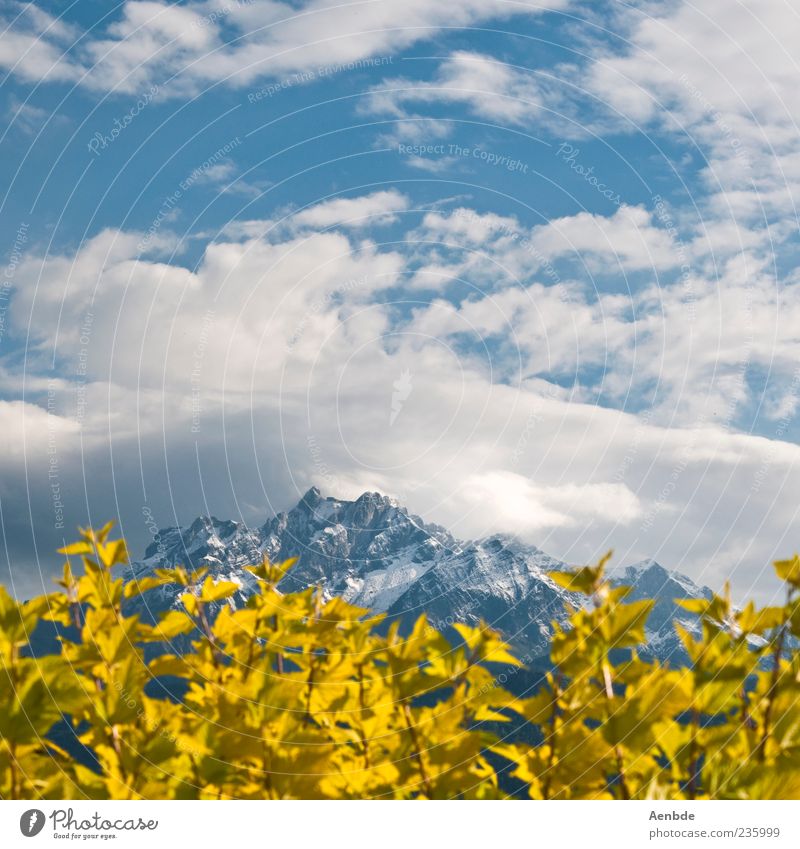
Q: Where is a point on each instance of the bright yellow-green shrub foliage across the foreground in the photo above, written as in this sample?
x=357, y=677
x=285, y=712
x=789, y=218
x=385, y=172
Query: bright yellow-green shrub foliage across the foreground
x=293, y=696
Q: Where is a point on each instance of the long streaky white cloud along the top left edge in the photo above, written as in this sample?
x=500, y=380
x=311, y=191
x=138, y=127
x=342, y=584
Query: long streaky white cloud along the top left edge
x=194, y=45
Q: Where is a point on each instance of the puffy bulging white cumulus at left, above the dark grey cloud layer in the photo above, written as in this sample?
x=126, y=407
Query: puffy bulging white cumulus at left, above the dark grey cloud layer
x=255, y=290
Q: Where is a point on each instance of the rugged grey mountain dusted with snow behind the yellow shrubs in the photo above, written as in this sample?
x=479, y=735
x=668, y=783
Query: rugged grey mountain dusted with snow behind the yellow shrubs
x=372, y=552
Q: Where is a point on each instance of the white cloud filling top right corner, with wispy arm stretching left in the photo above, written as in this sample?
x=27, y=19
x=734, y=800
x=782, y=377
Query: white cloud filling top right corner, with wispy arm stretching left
x=717, y=78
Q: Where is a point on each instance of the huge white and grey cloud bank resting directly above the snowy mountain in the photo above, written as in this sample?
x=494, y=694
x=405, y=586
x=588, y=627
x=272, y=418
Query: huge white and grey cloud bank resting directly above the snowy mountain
x=232, y=387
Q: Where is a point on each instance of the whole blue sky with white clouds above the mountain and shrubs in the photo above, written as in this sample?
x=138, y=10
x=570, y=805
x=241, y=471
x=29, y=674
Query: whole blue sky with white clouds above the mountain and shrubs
x=526, y=267
